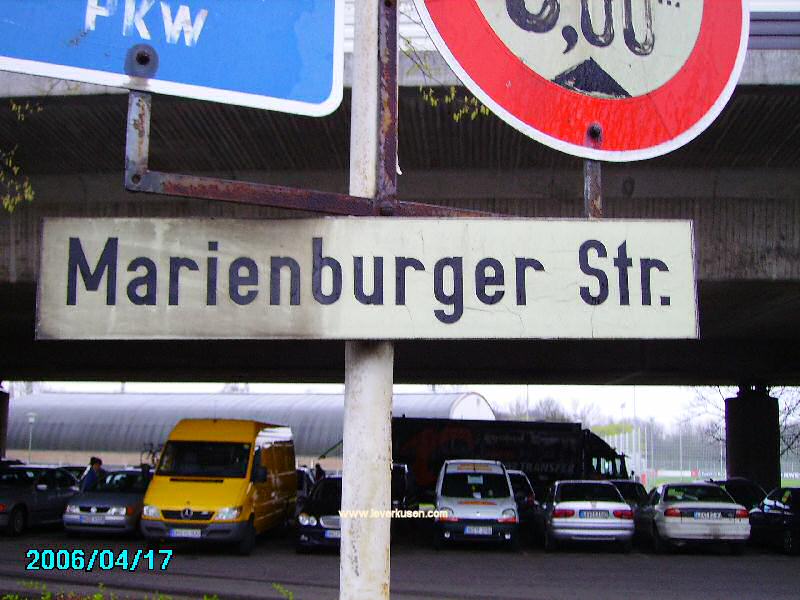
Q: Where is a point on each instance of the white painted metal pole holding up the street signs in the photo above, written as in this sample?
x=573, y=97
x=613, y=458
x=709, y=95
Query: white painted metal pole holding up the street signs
x=367, y=446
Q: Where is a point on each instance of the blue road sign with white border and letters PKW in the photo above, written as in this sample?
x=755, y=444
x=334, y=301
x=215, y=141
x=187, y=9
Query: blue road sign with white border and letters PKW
x=281, y=55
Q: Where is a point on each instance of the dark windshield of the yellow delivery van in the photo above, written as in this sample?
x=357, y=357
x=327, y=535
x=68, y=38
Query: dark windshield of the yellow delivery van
x=204, y=459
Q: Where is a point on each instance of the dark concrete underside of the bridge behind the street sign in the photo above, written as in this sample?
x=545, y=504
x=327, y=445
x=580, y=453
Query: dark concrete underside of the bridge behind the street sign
x=739, y=182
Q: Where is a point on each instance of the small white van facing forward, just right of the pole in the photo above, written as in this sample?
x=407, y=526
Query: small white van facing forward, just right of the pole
x=475, y=502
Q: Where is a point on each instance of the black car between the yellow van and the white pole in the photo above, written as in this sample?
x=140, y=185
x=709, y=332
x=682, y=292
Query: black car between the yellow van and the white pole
x=318, y=516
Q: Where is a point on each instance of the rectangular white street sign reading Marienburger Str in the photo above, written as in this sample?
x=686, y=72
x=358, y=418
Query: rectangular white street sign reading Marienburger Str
x=366, y=278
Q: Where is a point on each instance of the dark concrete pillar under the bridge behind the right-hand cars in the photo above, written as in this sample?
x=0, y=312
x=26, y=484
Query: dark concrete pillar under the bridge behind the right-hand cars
x=752, y=436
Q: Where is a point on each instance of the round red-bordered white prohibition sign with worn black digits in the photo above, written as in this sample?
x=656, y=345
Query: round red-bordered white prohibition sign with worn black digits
x=613, y=80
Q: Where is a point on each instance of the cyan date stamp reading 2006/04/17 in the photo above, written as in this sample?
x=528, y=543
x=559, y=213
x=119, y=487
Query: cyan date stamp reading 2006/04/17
x=105, y=560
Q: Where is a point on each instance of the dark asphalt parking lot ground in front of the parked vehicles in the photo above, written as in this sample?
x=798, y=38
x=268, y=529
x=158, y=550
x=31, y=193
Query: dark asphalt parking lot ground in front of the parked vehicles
x=417, y=572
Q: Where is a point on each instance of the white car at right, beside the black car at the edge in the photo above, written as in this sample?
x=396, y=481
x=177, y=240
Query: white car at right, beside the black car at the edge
x=677, y=514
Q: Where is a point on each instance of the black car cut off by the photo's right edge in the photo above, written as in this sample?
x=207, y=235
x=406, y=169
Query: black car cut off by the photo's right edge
x=776, y=520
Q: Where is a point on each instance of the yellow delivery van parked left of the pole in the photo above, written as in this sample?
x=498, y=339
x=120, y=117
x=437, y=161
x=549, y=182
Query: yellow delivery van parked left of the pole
x=221, y=481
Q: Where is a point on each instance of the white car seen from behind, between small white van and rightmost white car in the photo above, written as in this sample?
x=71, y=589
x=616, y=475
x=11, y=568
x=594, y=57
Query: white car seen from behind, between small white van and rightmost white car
x=590, y=511
